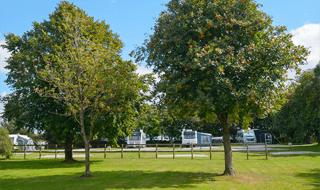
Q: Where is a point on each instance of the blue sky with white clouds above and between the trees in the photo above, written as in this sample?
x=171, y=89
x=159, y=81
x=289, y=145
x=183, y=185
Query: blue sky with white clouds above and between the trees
x=133, y=19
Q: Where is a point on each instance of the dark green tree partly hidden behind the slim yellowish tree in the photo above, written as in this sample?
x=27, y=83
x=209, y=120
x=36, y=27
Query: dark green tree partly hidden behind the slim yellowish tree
x=24, y=106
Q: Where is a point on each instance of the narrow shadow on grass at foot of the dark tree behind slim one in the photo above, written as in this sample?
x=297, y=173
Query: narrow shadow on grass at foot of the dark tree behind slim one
x=41, y=164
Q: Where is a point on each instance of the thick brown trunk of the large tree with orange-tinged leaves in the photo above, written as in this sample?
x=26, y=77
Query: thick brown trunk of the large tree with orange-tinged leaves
x=229, y=169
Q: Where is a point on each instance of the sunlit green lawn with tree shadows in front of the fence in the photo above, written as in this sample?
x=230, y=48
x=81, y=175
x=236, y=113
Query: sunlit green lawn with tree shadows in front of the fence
x=278, y=172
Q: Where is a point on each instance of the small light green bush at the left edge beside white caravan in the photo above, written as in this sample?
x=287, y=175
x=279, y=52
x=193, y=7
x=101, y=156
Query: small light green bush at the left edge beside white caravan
x=6, y=146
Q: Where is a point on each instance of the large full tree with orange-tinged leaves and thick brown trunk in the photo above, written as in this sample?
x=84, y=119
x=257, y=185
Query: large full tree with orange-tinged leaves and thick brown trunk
x=220, y=57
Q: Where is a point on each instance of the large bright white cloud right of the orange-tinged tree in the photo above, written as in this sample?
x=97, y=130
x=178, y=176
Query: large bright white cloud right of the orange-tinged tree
x=309, y=36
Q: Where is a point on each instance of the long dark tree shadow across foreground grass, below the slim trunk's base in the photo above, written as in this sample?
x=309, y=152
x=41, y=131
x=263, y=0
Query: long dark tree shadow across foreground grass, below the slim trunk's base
x=135, y=179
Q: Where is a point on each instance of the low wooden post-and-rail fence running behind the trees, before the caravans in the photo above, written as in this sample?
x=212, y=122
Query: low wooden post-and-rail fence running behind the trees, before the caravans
x=157, y=149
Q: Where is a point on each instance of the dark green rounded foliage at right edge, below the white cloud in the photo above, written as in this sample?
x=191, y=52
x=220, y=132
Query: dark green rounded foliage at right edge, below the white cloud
x=298, y=120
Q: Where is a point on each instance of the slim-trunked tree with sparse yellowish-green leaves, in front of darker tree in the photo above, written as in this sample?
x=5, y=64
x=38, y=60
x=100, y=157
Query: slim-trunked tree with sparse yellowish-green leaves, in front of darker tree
x=86, y=71
